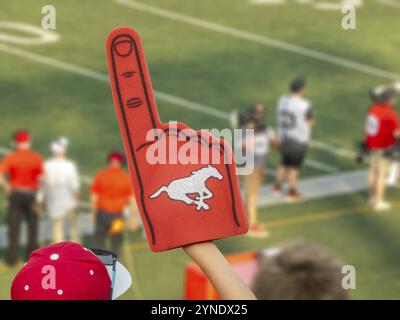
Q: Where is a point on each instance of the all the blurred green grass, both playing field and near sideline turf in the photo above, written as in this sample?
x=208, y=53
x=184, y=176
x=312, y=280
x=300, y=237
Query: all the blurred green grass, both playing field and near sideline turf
x=223, y=72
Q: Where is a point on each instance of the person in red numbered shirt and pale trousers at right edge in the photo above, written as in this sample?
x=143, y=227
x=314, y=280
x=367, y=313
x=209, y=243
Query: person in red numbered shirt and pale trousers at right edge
x=382, y=129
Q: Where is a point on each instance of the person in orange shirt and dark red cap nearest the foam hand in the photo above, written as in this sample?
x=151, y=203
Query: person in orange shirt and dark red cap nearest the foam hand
x=111, y=193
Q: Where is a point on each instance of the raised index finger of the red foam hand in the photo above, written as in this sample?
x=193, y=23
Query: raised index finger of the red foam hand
x=131, y=85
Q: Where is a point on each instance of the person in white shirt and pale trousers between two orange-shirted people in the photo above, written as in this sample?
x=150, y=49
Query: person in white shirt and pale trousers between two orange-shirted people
x=60, y=190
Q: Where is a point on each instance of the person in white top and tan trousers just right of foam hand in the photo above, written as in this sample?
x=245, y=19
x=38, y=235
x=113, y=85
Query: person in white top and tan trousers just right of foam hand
x=258, y=145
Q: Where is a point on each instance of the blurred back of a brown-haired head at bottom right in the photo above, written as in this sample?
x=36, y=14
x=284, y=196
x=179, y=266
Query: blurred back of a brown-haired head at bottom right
x=300, y=270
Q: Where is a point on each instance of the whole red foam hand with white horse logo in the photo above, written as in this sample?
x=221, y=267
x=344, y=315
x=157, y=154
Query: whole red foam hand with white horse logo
x=181, y=202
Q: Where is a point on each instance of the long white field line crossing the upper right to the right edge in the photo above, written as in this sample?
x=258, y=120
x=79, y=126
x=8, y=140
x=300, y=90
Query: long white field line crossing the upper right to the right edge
x=270, y=42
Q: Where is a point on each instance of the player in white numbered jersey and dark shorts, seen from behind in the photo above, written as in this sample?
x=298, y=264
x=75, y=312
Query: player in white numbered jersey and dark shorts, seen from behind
x=295, y=122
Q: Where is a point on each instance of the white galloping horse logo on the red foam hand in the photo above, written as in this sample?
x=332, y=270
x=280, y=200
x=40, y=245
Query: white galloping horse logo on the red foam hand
x=196, y=183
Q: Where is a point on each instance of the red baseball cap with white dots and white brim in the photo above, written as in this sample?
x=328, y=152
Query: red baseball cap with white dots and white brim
x=67, y=271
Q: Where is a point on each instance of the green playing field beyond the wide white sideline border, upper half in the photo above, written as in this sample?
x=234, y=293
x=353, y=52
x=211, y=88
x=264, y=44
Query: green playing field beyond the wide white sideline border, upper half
x=199, y=65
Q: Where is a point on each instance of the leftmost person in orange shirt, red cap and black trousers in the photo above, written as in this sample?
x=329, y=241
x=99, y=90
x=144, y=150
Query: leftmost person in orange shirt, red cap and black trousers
x=20, y=172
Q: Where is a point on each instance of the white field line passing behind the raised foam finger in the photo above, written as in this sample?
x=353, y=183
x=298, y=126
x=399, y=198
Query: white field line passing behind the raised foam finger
x=160, y=95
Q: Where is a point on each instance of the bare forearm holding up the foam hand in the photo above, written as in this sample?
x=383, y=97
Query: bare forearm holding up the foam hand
x=224, y=279
